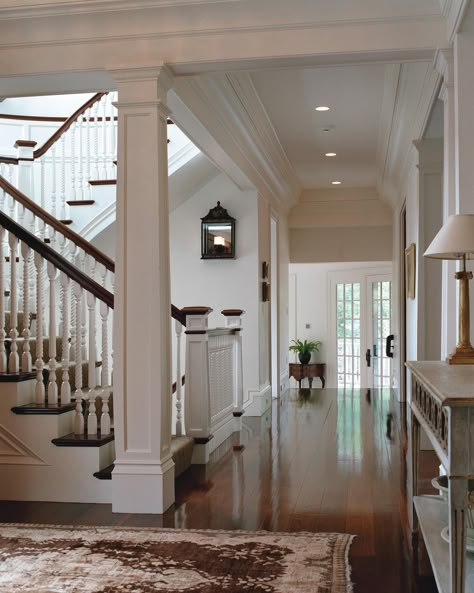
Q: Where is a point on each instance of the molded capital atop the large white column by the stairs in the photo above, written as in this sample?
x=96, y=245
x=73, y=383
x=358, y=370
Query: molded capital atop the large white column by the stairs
x=138, y=84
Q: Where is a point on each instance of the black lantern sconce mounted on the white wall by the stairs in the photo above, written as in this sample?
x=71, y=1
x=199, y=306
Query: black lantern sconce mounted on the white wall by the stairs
x=218, y=234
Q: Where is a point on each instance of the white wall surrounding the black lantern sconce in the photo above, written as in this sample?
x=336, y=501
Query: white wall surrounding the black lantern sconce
x=220, y=284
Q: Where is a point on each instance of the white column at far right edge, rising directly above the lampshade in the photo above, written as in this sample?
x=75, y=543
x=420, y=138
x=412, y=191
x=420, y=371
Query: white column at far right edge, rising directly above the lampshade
x=464, y=125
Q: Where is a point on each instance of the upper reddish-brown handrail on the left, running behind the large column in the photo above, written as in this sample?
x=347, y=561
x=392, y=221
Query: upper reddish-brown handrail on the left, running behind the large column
x=79, y=241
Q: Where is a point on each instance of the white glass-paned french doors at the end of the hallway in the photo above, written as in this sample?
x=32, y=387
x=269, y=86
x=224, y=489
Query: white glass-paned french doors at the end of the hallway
x=361, y=323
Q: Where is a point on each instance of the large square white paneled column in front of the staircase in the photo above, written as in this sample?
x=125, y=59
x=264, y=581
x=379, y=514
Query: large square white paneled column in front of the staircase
x=143, y=478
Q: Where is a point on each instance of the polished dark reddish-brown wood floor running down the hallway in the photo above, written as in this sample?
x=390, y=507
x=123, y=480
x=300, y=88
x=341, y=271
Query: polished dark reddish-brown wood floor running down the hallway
x=320, y=460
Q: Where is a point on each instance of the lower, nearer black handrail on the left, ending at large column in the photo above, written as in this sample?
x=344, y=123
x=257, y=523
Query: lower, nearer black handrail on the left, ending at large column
x=57, y=260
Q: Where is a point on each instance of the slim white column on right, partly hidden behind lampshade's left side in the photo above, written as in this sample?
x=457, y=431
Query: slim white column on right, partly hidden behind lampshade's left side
x=444, y=63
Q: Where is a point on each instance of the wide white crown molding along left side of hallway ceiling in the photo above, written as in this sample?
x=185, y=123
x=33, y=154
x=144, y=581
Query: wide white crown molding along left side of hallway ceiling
x=230, y=109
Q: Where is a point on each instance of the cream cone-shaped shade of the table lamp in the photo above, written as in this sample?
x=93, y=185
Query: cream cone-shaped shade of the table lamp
x=454, y=239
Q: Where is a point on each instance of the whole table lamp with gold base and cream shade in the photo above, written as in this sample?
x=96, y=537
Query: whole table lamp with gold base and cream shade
x=455, y=240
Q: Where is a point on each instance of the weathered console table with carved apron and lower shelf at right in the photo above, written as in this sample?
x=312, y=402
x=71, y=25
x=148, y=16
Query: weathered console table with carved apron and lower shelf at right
x=442, y=402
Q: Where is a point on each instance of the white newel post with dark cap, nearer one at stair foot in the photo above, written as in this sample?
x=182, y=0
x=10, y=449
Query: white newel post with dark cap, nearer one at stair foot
x=197, y=402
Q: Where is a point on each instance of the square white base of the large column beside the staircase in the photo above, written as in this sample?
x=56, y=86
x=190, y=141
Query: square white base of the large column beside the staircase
x=143, y=488
